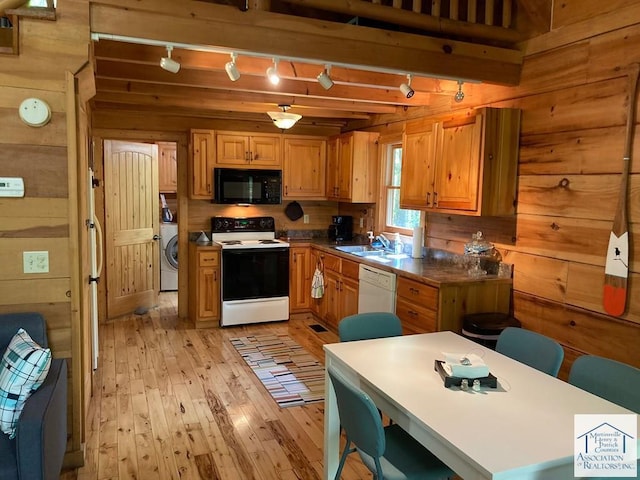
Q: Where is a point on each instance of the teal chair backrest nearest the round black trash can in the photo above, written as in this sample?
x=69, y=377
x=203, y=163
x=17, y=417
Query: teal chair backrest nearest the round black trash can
x=531, y=348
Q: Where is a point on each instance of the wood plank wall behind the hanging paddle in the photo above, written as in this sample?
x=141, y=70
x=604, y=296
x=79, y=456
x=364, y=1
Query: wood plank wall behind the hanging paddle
x=573, y=96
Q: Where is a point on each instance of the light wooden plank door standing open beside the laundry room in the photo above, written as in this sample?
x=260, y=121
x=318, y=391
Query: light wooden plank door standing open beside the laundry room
x=131, y=229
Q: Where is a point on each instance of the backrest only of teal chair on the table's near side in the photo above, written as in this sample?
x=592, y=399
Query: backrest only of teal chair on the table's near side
x=358, y=416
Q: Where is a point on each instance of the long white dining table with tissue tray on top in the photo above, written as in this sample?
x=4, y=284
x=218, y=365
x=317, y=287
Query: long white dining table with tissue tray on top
x=522, y=430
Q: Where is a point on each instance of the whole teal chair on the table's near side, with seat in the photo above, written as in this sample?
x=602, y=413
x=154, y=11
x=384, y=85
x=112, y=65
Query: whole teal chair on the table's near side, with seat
x=388, y=452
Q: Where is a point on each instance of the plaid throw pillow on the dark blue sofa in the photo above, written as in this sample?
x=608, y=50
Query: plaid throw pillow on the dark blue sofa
x=23, y=369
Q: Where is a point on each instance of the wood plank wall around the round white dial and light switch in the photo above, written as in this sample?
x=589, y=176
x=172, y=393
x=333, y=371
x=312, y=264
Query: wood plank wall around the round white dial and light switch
x=41, y=220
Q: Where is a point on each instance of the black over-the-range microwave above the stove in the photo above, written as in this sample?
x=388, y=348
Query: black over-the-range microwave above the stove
x=248, y=187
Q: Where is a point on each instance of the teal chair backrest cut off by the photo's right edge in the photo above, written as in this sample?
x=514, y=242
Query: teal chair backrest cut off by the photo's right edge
x=615, y=381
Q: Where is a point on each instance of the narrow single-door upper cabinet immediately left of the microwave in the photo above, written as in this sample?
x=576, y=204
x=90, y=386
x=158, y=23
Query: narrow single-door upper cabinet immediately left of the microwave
x=202, y=151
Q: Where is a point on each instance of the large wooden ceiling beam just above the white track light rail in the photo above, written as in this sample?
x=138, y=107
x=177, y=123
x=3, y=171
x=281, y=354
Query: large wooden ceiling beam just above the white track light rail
x=295, y=37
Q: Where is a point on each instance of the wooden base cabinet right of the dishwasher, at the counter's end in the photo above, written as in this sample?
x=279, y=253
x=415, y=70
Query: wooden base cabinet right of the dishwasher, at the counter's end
x=424, y=308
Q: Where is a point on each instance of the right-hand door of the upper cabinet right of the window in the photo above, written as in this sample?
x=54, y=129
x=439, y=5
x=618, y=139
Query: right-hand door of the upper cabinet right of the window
x=457, y=177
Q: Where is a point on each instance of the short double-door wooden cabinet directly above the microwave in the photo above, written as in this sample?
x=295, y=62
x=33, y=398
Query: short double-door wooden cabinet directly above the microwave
x=251, y=150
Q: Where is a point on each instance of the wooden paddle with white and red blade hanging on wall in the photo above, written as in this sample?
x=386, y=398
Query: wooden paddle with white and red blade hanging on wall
x=617, y=262
